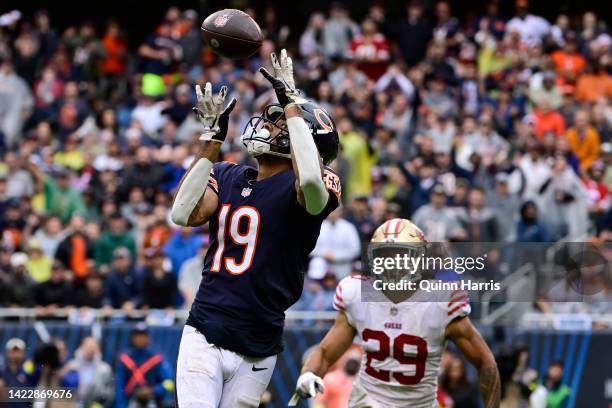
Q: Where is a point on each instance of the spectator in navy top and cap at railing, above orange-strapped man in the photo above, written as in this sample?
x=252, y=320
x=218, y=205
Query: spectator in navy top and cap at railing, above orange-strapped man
x=122, y=288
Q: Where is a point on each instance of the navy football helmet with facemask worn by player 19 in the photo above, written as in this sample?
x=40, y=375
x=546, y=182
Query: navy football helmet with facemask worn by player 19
x=257, y=139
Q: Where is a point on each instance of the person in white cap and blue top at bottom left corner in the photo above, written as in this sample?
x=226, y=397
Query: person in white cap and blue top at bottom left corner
x=17, y=372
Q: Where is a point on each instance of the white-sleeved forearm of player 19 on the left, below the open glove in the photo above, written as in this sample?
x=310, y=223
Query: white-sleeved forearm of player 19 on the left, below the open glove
x=188, y=198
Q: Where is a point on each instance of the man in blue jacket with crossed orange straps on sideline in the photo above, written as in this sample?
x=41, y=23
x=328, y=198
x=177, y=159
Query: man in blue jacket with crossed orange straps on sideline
x=143, y=376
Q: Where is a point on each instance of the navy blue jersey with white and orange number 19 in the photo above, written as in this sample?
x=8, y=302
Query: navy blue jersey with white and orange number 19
x=254, y=268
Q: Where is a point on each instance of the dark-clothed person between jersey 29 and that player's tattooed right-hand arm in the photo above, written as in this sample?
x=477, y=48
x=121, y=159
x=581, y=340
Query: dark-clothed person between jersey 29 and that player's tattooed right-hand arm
x=454, y=382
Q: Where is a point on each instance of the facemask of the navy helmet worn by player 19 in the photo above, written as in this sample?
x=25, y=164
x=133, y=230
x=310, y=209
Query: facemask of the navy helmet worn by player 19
x=257, y=137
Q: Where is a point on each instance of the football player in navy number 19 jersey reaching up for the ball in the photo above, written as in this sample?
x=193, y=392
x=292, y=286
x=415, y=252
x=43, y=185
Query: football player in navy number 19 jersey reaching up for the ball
x=263, y=224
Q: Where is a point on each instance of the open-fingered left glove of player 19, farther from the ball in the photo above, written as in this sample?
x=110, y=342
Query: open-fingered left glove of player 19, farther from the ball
x=209, y=111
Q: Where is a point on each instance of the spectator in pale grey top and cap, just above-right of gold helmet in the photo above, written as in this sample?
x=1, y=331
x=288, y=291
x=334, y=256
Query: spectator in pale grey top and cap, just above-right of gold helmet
x=436, y=219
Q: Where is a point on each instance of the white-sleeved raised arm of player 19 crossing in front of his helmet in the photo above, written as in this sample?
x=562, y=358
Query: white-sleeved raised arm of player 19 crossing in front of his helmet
x=308, y=163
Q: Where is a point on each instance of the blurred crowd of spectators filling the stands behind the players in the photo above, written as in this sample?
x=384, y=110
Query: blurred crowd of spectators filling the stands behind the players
x=495, y=129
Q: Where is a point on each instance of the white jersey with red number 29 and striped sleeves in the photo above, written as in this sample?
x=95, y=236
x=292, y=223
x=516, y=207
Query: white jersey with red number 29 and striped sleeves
x=402, y=343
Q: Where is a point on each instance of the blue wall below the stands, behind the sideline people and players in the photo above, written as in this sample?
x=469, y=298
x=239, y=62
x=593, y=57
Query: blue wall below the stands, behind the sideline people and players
x=587, y=356
